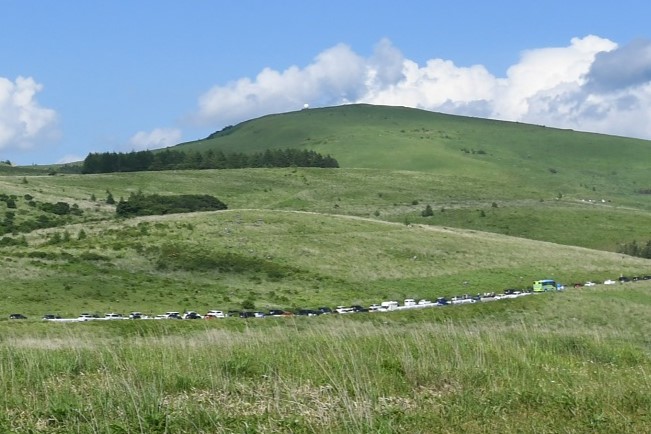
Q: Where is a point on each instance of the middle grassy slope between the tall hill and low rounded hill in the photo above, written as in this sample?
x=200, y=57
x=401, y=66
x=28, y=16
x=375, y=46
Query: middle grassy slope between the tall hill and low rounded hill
x=397, y=196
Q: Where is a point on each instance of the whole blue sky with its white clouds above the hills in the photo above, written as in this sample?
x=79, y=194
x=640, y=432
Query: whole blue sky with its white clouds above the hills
x=94, y=76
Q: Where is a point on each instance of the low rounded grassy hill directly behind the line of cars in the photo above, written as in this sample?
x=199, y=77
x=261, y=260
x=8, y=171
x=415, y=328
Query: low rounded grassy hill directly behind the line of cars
x=291, y=259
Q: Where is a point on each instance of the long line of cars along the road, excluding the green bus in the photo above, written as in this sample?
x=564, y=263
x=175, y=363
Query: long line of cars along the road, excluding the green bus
x=385, y=306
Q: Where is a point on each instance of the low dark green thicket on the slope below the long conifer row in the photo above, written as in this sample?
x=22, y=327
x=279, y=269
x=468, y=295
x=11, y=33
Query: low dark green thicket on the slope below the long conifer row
x=140, y=204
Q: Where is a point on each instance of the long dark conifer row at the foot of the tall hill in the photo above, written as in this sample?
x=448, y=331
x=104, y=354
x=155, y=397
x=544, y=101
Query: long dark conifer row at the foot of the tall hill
x=138, y=161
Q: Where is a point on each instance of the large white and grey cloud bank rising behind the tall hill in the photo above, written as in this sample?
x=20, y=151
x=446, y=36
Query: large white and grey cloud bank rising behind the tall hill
x=592, y=84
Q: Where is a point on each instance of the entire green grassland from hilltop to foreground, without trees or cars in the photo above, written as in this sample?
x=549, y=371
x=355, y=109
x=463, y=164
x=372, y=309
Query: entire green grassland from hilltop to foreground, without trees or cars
x=511, y=203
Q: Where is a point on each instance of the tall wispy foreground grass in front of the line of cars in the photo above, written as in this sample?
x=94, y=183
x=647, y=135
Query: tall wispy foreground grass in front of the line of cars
x=550, y=370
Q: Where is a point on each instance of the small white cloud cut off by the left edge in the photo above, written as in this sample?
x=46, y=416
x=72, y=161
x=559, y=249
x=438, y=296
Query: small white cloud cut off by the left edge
x=23, y=122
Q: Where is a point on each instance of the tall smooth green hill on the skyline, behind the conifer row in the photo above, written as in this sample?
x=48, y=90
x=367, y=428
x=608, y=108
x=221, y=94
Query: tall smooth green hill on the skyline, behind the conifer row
x=397, y=138
